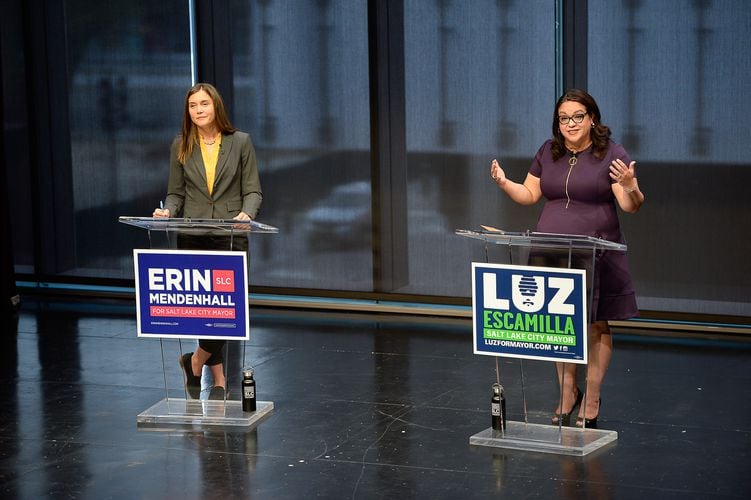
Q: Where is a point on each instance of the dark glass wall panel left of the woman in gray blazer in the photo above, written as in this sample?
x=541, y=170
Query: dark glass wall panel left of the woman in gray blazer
x=129, y=66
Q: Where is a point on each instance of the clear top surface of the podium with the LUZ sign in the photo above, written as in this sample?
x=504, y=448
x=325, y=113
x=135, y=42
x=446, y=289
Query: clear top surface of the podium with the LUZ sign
x=546, y=240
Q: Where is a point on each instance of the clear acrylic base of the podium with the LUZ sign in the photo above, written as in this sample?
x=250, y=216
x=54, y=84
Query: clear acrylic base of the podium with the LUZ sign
x=545, y=439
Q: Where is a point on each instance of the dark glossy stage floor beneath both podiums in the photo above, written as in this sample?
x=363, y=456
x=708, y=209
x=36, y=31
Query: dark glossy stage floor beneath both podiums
x=365, y=406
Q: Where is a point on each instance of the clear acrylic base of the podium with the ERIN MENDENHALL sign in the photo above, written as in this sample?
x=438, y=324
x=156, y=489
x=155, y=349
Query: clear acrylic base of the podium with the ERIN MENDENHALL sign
x=202, y=413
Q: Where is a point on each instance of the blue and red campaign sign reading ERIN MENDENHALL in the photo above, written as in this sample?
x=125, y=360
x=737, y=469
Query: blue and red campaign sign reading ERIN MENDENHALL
x=191, y=294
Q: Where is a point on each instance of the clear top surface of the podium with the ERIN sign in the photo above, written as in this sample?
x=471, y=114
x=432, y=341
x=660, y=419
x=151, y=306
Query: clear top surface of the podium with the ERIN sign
x=213, y=226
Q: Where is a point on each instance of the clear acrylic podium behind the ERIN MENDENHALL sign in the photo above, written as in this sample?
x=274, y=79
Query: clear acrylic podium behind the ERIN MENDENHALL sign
x=176, y=409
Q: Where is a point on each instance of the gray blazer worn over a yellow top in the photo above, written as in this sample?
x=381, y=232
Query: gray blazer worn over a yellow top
x=237, y=187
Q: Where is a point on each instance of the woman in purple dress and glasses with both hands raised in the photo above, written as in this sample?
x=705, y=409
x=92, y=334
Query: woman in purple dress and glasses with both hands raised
x=582, y=174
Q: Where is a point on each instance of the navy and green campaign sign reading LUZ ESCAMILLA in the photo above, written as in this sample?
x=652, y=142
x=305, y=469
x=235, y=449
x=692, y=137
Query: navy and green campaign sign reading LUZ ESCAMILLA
x=529, y=312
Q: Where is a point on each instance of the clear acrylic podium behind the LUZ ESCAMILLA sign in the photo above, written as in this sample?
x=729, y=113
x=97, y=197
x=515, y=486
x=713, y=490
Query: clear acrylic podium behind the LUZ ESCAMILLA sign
x=546, y=250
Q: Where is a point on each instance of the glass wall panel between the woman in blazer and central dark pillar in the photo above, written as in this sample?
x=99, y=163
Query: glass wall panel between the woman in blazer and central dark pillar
x=301, y=91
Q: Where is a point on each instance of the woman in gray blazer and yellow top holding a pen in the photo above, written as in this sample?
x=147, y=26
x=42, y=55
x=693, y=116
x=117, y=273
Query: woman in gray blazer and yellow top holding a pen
x=213, y=175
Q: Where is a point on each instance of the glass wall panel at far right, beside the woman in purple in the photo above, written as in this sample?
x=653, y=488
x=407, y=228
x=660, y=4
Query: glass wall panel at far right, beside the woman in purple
x=671, y=81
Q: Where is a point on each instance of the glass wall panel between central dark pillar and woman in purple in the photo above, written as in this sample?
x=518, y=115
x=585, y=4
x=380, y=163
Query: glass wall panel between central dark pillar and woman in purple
x=479, y=85
